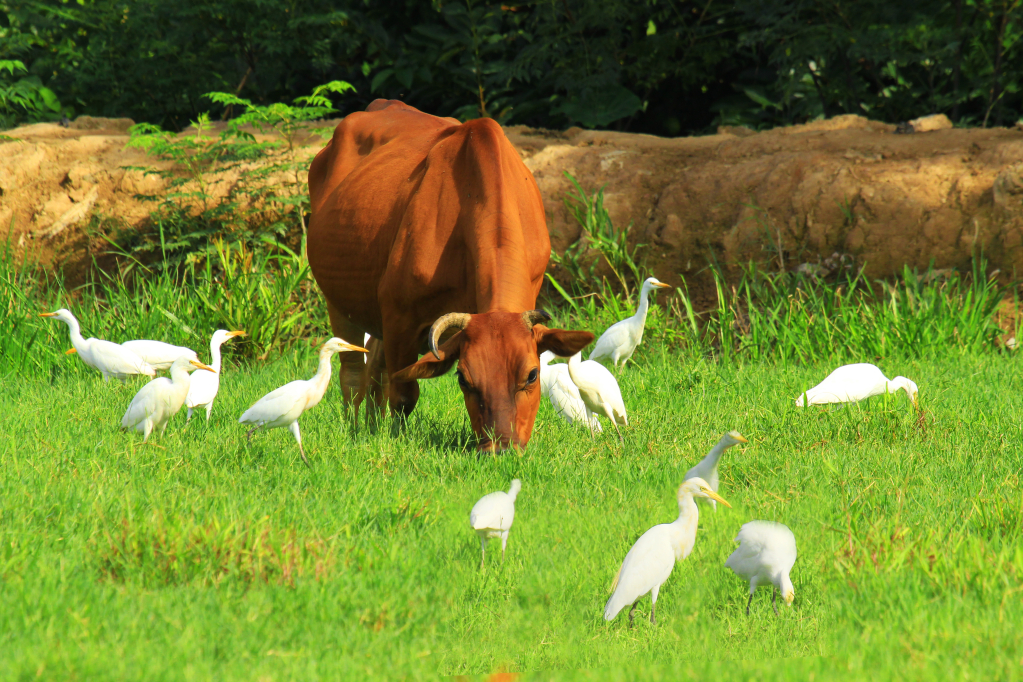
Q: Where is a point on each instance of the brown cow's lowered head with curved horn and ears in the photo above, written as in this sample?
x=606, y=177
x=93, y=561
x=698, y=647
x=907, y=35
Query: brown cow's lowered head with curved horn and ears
x=499, y=369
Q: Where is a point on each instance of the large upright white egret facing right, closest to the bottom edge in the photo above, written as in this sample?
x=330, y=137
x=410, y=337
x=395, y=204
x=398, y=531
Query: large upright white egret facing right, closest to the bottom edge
x=653, y=557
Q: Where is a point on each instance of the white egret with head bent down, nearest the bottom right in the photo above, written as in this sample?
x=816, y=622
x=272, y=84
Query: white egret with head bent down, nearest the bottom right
x=766, y=555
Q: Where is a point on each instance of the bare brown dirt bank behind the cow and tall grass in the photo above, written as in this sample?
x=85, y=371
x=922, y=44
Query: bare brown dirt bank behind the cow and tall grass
x=785, y=198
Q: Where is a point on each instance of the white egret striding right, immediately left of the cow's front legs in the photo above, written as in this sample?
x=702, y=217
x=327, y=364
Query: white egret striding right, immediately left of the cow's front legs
x=284, y=406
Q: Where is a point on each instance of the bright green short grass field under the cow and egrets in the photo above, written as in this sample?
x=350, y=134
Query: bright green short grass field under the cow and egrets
x=201, y=557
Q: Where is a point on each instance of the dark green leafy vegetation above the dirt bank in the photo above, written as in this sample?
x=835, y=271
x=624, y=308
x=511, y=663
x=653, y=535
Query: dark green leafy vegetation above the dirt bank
x=662, y=67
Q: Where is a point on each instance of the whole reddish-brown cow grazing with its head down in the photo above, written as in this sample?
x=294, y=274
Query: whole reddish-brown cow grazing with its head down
x=422, y=228
